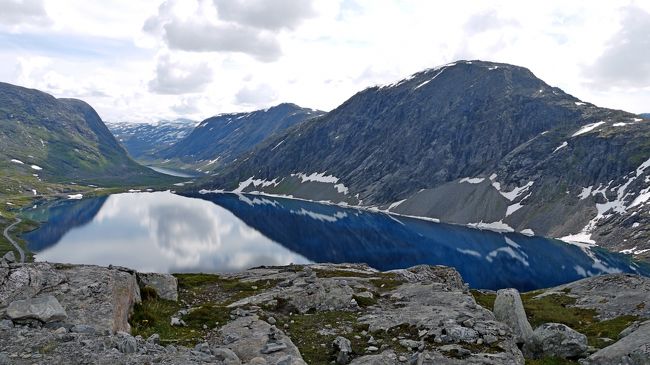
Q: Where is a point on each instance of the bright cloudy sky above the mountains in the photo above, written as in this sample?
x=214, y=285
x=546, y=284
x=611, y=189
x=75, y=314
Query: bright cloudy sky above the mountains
x=147, y=60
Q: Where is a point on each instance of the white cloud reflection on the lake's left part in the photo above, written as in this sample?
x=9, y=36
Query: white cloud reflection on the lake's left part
x=168, y=233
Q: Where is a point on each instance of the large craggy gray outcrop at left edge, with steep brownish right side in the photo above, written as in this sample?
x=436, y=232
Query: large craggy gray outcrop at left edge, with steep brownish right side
x=91, y=295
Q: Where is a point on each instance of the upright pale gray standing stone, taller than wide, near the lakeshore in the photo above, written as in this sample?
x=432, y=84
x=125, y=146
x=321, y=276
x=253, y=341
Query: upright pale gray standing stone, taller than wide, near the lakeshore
x=509, y=309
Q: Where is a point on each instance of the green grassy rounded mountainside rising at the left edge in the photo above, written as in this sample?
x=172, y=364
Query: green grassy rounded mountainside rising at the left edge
x=59, y=140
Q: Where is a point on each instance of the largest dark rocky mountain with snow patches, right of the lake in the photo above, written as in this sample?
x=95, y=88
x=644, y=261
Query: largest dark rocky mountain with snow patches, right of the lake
x=471, y=142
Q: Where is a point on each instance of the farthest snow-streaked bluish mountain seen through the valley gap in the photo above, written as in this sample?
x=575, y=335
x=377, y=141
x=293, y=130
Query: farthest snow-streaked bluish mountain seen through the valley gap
x=141, y=140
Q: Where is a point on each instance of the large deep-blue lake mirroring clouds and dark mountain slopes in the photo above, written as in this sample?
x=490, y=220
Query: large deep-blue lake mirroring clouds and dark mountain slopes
x=225, y=232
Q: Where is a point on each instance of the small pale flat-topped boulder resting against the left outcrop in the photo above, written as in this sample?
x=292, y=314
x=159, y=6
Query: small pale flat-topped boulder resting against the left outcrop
x=44, y=309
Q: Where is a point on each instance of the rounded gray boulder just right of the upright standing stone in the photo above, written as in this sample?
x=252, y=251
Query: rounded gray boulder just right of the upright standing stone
x=555, y=340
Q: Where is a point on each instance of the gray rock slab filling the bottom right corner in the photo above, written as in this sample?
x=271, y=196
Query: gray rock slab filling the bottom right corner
x=633, y=349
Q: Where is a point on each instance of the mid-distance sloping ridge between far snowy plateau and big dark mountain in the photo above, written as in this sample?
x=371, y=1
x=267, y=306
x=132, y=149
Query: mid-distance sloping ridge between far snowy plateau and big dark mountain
x=221, y=139
